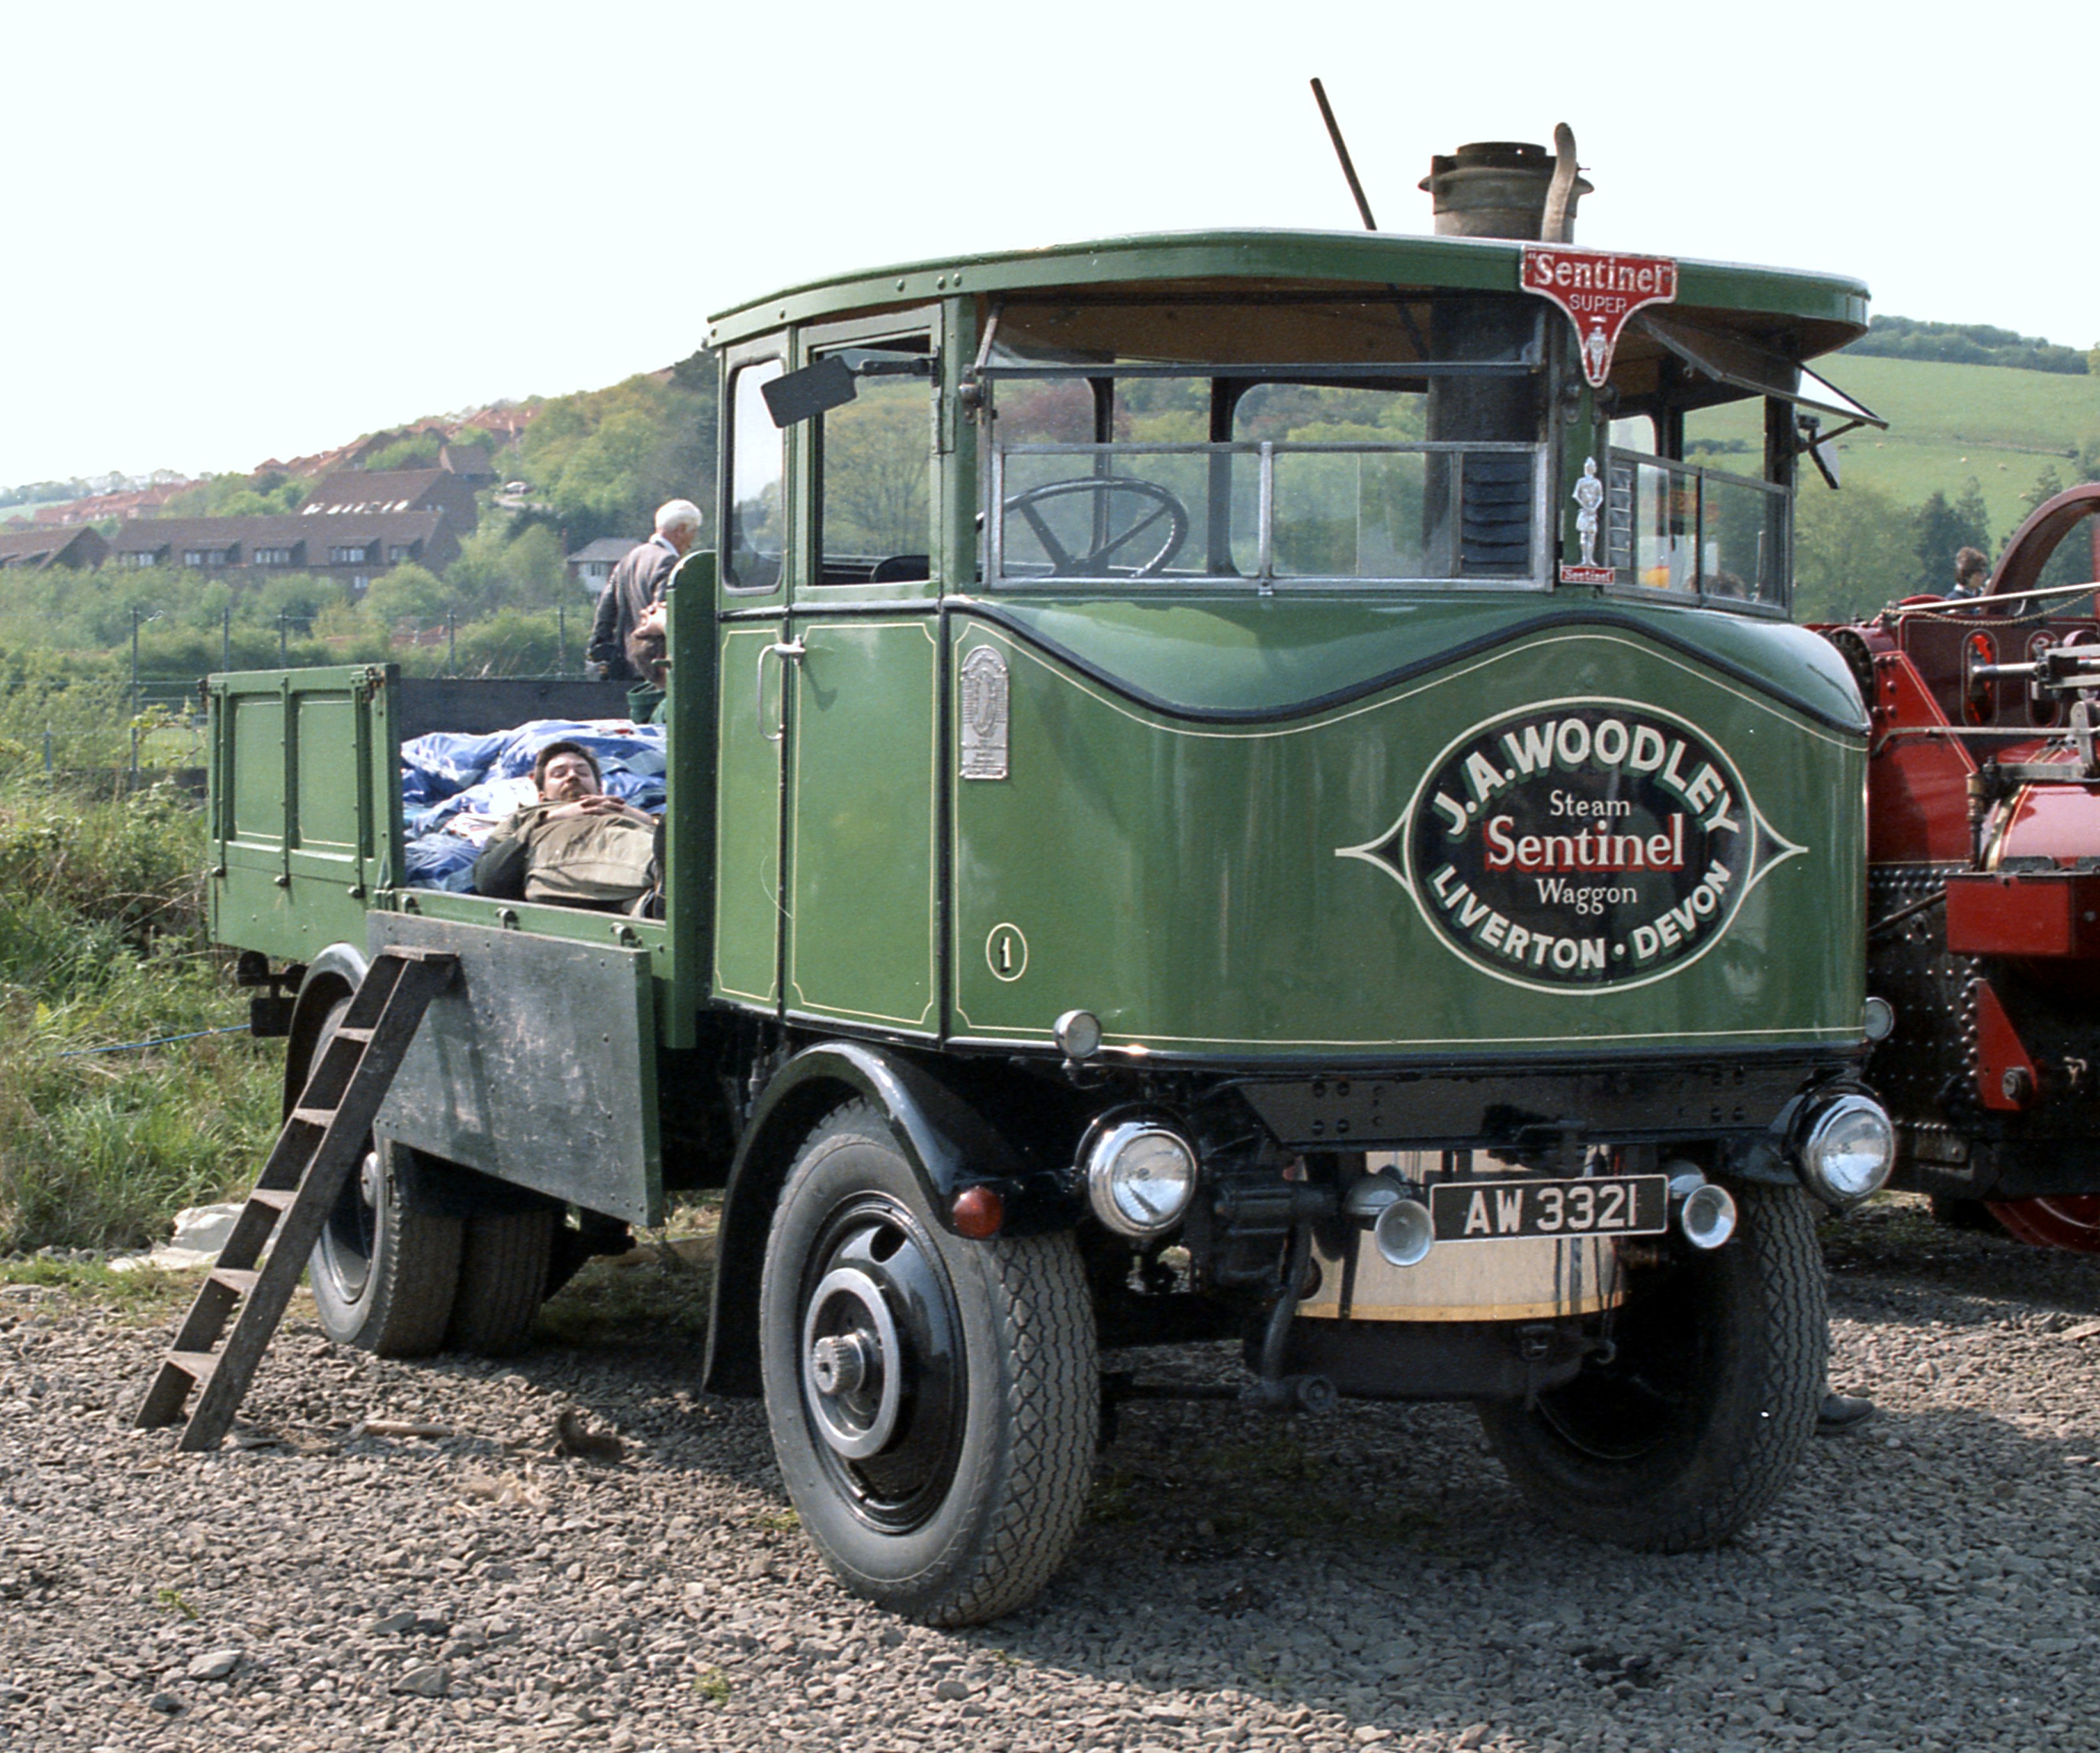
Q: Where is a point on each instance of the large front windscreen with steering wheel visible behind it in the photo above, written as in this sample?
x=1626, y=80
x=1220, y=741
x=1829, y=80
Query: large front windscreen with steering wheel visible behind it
x=1351, y=442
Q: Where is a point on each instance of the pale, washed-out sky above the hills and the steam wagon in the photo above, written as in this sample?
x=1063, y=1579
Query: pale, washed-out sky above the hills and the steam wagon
x=251, y=230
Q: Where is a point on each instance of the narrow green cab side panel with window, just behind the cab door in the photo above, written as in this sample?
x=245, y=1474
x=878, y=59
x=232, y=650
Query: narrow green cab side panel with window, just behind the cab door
x=751, y=648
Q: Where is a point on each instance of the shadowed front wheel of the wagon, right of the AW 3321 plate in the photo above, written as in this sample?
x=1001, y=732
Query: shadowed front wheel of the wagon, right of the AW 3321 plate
x=1706, y=1408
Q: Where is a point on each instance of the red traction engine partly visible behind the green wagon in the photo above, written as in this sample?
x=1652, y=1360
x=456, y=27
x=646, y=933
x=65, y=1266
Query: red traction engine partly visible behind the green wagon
x=1983, y=891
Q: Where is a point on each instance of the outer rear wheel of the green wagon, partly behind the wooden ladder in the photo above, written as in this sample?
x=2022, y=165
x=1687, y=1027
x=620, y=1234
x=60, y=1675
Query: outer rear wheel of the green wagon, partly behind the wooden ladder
x=390, y=1256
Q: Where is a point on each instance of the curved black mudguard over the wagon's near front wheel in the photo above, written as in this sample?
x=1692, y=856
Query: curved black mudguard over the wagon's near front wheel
x=946, y=1141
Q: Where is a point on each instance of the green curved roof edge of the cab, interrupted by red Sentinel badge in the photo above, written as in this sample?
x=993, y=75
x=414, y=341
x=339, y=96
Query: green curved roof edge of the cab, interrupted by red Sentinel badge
x=1815, y=312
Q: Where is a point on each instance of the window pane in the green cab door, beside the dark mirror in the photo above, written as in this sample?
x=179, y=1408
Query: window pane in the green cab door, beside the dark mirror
x=875, y=484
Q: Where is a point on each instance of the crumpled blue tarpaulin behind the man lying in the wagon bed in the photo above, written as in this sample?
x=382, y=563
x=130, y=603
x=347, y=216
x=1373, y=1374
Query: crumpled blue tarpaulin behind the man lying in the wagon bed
x=446, y=774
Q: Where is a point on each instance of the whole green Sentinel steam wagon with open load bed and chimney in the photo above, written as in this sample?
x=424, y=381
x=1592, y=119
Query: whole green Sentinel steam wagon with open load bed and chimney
x=1221, y=786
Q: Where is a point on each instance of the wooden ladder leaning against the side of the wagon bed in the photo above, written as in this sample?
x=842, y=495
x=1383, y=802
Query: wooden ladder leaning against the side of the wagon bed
x=316, y=1154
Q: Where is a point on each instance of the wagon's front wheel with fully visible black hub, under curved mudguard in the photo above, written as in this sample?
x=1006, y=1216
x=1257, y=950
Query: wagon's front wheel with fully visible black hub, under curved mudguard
x=933, y=1401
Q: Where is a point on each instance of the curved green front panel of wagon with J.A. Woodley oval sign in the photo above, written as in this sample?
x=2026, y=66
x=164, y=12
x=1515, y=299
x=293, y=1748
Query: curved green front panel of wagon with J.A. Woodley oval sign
x=1387, y=832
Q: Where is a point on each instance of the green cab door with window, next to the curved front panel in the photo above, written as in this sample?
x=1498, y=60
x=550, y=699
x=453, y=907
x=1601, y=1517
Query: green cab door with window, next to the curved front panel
x=862, y=921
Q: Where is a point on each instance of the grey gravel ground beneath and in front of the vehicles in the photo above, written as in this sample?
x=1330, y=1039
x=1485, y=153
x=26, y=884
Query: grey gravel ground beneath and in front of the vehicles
x=1362, y=1580
